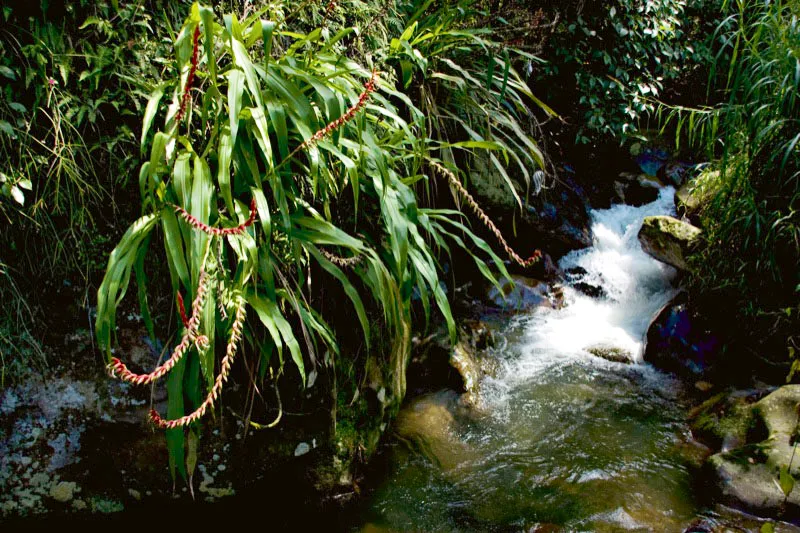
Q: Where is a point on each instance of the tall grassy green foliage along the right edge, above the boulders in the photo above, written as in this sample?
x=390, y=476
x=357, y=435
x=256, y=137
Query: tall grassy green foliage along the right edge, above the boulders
x=752, y=220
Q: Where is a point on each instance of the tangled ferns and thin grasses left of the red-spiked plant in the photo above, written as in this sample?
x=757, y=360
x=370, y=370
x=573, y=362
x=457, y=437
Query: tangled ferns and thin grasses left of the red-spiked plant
x=74, y=79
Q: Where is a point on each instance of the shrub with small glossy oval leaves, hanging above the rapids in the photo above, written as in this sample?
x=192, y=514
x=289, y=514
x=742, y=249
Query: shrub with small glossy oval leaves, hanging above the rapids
x=620, y=56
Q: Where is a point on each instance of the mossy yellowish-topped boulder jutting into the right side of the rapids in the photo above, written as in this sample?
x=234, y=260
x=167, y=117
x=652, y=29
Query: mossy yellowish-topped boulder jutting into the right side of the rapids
x=668, y=239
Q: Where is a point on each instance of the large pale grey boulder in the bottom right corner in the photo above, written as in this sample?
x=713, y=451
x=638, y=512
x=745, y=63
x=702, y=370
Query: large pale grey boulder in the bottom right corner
x=749, y=477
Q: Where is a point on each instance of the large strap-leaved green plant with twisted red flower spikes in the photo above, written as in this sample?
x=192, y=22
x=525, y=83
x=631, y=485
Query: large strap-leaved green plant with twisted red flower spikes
x=271, y=145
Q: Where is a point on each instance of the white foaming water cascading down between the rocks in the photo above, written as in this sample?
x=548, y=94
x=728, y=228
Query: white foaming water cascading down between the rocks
x=636, y=287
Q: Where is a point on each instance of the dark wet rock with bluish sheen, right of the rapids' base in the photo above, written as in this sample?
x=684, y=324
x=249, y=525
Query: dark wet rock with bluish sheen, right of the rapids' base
x=680, y=341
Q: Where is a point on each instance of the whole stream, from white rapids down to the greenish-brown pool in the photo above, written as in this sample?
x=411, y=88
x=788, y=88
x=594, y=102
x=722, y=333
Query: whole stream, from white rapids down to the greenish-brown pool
x=563, y=440
